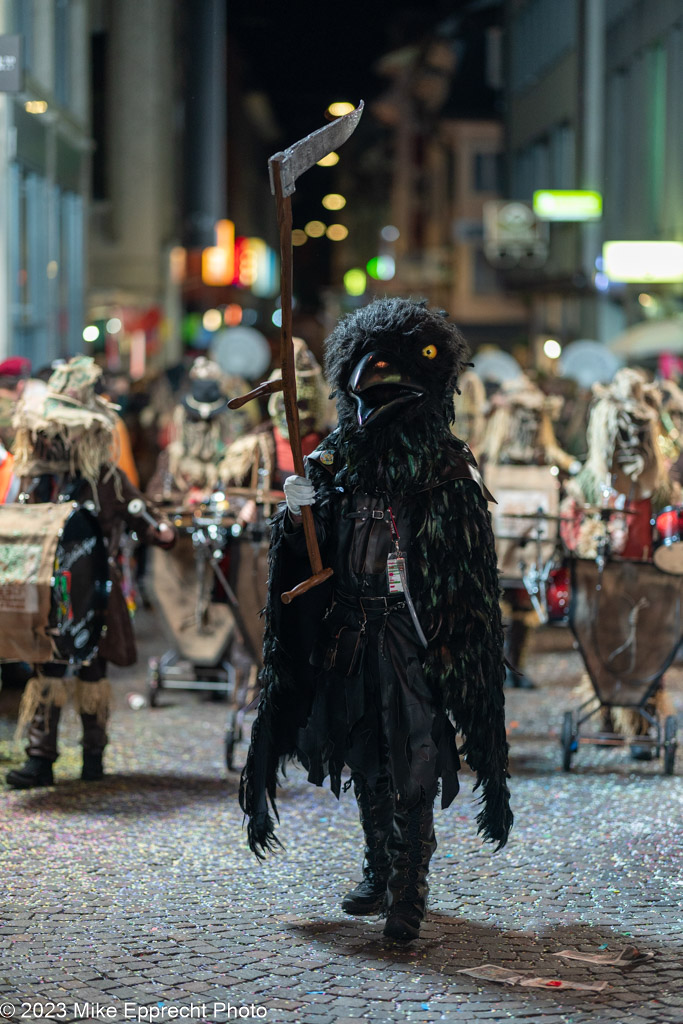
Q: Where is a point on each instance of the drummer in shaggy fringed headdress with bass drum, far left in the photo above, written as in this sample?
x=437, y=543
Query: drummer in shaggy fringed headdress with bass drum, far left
x=63, y=452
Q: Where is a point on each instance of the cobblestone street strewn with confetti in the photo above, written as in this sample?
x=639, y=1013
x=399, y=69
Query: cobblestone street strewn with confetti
x=137, y=898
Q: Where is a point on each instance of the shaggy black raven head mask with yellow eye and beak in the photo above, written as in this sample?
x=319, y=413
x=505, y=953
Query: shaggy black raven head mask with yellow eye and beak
x=394, y=360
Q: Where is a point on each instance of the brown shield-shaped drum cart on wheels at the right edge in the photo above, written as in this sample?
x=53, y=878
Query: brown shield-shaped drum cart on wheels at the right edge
x=627, y=620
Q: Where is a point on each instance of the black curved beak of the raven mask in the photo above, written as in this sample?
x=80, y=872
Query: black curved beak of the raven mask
x=380, y=389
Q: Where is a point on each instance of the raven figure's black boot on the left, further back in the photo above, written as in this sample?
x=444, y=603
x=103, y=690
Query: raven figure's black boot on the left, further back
x=376, y=813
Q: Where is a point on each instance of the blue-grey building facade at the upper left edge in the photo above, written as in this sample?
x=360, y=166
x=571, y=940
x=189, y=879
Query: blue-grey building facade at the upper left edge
x=46, y=150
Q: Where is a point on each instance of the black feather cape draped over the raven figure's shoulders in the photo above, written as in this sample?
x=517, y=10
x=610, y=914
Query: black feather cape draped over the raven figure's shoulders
x=454, y=579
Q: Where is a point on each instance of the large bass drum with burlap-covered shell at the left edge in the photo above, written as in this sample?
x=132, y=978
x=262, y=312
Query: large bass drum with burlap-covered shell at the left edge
x=54, y=583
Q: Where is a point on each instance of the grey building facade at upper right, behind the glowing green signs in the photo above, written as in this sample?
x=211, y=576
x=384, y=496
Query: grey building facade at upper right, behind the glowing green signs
x=594, y=102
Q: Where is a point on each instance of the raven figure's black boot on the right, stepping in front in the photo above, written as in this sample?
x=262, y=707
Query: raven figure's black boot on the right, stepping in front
x=412, y=845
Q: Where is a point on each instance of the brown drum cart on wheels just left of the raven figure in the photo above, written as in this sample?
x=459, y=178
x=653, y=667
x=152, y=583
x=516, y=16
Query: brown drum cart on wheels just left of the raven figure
x=219, y=634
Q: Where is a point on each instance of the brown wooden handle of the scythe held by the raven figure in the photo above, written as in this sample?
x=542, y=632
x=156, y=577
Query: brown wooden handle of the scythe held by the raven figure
x=289, y=382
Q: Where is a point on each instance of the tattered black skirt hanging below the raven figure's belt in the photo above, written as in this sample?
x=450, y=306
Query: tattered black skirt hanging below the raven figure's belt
x=374, y=711
